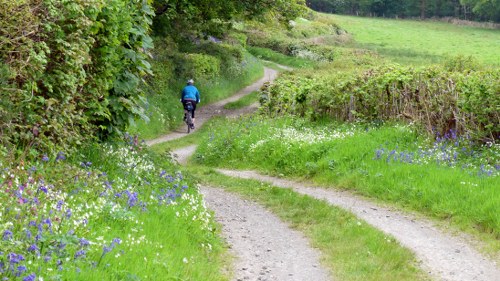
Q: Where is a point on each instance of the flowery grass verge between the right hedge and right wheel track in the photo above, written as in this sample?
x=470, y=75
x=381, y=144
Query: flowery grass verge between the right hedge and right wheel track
x=455, y=183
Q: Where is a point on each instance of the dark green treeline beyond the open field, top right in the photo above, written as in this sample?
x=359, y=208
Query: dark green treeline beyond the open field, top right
x=479, y=10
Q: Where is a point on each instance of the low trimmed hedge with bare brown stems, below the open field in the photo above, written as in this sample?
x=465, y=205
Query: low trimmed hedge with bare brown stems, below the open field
x=438, y=98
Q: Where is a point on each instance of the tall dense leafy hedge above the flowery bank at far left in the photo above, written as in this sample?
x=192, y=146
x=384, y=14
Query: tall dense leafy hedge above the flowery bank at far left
x=71, y=70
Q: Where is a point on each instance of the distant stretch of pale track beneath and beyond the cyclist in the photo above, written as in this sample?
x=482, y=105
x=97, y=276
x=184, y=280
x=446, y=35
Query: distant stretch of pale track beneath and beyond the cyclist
x=207, y=111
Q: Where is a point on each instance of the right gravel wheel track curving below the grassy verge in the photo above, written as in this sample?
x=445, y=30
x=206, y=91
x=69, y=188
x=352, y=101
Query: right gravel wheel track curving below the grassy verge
x=444, y=256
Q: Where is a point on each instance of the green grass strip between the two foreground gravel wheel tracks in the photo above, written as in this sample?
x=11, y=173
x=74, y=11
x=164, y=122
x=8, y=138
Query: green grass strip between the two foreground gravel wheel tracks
x=351, y=249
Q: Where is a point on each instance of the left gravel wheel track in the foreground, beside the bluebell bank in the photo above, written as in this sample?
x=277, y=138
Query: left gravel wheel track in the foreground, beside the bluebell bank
x=265, y=248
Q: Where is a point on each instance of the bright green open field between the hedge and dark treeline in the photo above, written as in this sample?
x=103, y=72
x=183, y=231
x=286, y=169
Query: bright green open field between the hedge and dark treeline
x=419, y=42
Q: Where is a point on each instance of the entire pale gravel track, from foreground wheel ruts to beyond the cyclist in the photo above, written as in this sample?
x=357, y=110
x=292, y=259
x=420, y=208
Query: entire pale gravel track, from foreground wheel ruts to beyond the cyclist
x=261, y=242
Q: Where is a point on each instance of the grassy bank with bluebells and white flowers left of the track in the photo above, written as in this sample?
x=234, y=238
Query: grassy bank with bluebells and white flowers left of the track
x=105, y=213
